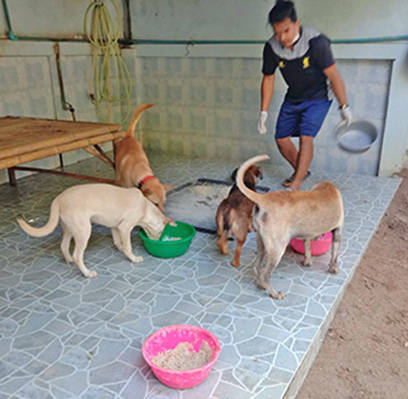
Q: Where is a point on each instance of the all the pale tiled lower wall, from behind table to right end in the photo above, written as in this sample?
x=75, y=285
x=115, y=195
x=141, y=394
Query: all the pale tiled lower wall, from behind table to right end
x=204, y=107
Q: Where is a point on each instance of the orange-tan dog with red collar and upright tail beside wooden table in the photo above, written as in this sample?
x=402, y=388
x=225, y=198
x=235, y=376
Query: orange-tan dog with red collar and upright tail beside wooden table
x=132, y=166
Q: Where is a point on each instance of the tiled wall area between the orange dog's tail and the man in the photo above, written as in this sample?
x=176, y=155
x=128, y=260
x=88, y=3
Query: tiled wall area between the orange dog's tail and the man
x=204, y=107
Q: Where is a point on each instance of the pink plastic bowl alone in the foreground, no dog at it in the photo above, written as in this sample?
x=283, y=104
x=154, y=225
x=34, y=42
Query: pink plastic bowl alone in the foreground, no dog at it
x=168, y=338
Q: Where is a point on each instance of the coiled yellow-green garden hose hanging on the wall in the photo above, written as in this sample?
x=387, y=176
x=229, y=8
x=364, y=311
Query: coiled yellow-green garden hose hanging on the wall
x=110, y=81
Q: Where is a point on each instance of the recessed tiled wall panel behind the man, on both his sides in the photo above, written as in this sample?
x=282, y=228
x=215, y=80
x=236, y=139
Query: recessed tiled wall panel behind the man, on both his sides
x=208, y=108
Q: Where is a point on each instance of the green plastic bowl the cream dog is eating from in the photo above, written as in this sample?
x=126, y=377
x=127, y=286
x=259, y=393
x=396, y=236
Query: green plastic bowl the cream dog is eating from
x=165, y=247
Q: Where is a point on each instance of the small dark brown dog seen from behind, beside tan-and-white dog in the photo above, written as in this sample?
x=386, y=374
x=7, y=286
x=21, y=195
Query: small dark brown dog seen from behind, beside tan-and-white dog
x=234, y=215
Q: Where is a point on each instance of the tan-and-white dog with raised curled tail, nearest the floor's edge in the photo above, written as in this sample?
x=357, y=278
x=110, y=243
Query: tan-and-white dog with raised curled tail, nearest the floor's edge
x=282, y=215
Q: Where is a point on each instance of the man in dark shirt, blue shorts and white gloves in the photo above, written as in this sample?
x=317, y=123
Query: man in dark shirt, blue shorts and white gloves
x=305, y=60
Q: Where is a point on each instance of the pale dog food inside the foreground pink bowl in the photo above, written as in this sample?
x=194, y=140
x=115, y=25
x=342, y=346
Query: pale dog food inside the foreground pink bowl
x=183, y=357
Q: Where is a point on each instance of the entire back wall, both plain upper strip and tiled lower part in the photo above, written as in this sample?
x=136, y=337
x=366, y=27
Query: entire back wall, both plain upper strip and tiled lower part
x=375, y=74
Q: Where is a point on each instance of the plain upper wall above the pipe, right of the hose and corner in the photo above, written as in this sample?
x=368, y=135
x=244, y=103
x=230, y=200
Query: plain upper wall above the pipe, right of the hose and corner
x=242, y=19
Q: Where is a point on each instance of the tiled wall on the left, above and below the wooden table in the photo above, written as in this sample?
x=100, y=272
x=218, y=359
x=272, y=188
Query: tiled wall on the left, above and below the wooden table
x=29, y=87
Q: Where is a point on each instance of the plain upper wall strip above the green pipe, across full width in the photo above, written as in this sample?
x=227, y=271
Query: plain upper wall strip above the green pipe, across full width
x=212, y=19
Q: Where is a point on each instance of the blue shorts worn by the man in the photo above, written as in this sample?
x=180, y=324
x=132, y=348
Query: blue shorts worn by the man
x=304, y=119
